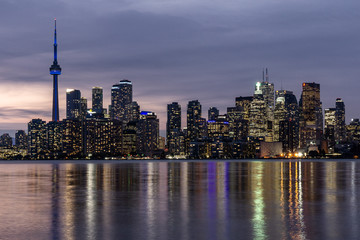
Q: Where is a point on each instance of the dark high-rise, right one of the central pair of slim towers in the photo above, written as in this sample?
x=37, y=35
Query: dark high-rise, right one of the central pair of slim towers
x=193, y=117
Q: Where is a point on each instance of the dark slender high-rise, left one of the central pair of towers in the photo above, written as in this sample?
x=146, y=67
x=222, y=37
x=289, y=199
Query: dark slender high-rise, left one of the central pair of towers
x=173, y=126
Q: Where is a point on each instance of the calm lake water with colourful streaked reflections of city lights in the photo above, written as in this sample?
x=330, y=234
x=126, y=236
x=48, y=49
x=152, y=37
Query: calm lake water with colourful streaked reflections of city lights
x=180, y=200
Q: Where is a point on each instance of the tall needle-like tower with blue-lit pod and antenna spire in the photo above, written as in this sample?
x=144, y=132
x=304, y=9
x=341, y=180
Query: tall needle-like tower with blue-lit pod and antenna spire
x=55, y=70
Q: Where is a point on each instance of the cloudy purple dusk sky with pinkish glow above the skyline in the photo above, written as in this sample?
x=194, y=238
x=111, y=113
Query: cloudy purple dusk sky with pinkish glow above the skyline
x=176, y=50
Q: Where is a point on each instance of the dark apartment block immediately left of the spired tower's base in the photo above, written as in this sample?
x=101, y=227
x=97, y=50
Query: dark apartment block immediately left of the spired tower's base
x=36, y=137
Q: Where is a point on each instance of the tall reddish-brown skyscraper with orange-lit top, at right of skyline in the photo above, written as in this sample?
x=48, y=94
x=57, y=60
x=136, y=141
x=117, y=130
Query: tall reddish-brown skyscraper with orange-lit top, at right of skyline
x=311, y=117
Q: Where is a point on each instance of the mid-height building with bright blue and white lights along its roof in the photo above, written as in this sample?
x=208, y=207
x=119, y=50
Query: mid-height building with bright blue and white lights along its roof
x=148, y=133
